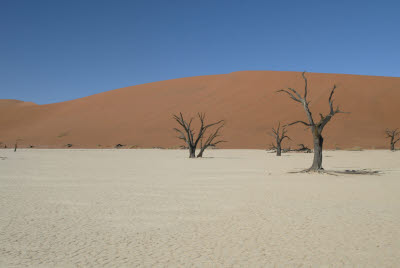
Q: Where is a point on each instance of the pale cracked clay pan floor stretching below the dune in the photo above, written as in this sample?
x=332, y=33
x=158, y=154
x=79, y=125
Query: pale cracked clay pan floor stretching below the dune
x=125, y=208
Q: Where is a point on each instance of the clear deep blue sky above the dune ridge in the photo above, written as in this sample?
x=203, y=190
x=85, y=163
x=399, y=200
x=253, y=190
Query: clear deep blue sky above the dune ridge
x=55, y=50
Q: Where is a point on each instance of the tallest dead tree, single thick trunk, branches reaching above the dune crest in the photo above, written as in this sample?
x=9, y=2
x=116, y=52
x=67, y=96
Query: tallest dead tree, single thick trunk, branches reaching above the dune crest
x=316, y=128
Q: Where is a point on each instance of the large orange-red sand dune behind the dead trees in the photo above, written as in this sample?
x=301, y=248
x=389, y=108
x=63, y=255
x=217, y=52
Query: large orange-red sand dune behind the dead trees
x=142, y=115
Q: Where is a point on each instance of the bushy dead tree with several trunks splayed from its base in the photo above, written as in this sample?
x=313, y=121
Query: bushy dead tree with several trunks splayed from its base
x=188, y=134
